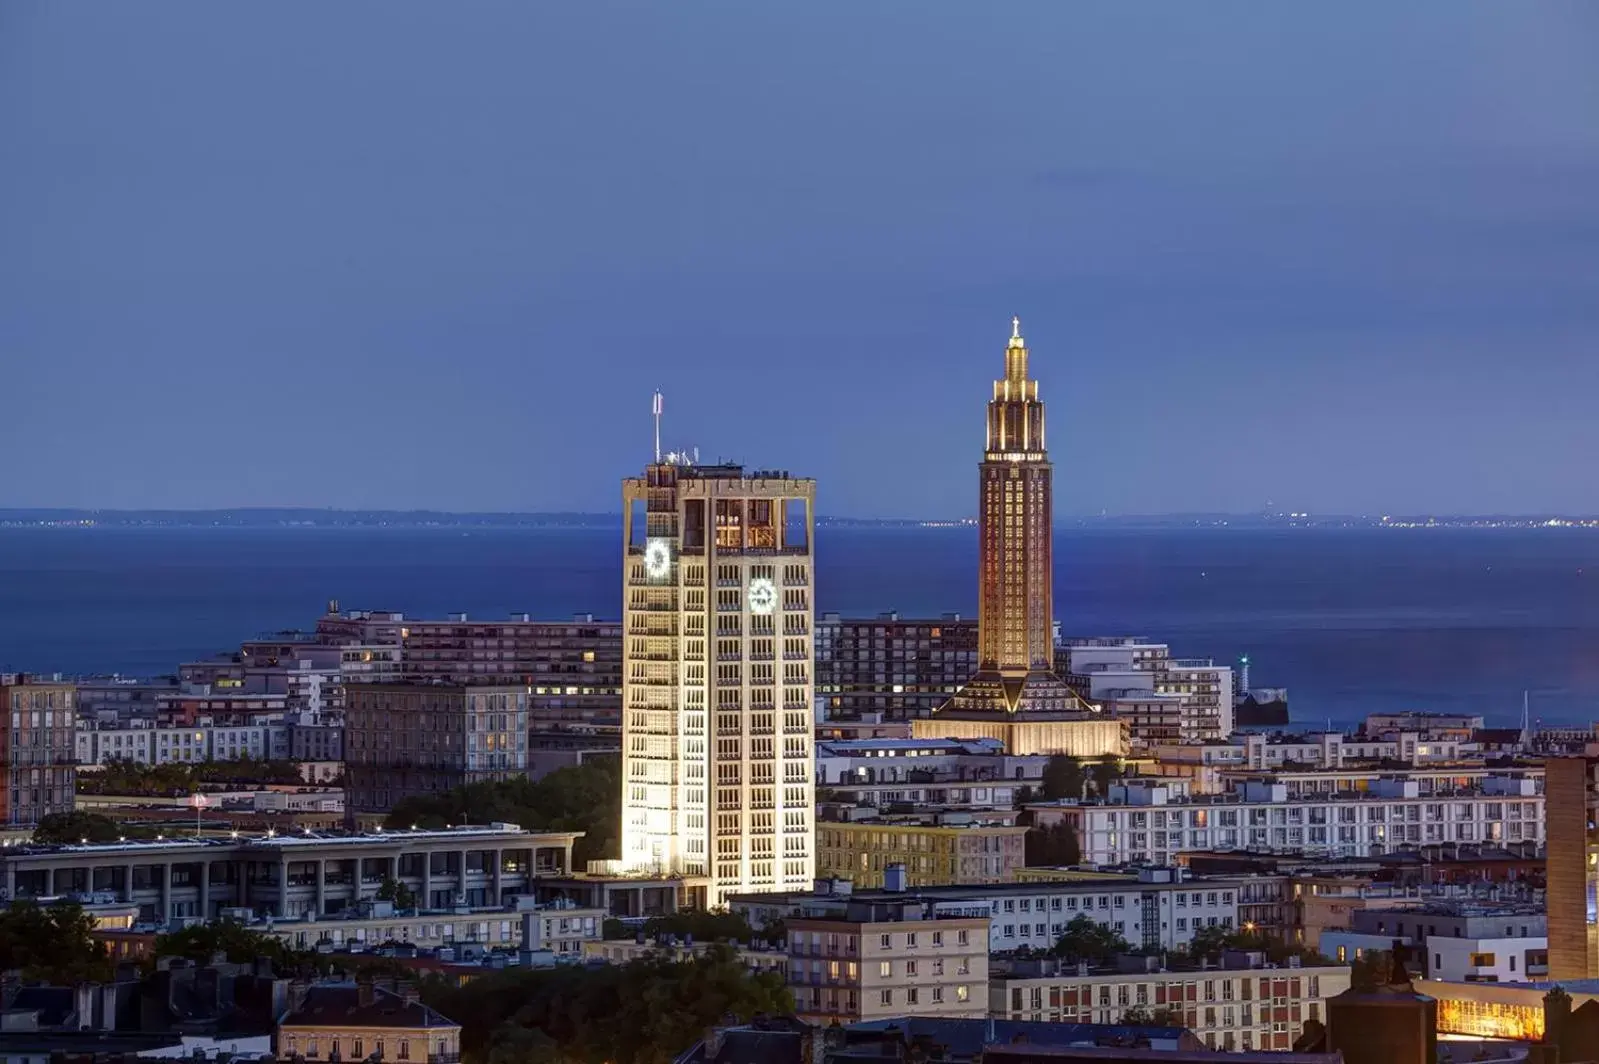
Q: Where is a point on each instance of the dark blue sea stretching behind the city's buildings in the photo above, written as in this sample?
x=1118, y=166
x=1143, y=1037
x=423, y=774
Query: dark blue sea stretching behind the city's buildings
x=1349, y=620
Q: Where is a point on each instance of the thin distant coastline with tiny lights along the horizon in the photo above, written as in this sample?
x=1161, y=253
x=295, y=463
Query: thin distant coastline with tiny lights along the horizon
x=309, y=518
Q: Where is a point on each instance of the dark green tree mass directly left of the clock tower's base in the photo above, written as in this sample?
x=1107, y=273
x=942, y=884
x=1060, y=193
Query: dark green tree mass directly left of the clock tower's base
x=575, y=799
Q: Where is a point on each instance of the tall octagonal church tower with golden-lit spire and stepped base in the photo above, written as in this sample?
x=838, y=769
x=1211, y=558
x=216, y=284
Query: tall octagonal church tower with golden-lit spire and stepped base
x=1016, y=695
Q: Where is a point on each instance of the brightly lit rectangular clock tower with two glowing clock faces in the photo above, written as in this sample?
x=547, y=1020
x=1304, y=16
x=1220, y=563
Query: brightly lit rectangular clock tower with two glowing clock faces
x=717, y=684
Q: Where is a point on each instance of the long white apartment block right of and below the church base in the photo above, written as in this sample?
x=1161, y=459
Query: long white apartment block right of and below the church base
x=1144, y=822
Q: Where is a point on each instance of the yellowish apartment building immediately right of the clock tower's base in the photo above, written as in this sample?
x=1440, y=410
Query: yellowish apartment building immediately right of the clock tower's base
x=935, y=849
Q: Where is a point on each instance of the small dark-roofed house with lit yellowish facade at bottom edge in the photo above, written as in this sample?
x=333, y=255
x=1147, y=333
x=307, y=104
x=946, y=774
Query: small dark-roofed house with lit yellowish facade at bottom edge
x=359, y=1022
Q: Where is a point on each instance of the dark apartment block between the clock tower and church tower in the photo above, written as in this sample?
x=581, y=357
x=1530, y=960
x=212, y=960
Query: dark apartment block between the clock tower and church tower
x=890, y=666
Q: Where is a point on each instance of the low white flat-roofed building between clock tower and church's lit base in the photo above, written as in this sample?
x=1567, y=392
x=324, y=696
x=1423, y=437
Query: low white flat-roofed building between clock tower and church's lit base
x=931, y=774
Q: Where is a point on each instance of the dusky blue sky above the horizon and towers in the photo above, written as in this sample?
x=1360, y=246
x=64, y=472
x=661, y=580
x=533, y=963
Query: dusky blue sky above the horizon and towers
x=1338, y=257
